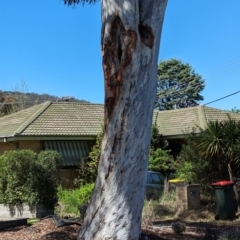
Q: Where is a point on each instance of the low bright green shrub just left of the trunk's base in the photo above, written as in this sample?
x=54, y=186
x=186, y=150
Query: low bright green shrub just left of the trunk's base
x=72, y=199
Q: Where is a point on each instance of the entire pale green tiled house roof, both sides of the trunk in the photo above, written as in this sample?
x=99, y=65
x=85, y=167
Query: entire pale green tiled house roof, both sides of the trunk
x=77, y=119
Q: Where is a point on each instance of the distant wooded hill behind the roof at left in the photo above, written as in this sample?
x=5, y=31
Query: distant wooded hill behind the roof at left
x=14, y=101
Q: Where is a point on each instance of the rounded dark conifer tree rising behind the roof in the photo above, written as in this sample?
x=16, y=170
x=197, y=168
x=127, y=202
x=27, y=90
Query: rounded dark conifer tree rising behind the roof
x=178, y=85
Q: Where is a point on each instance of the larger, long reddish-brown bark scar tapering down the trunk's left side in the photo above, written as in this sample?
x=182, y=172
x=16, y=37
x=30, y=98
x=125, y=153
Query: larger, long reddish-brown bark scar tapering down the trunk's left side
x=117, y=56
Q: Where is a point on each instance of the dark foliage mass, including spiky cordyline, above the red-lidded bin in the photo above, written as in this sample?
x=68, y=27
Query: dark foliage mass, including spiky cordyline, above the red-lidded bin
x=215, y=152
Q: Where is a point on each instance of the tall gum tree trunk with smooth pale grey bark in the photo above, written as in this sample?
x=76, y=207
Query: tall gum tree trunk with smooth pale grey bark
x=130, y=41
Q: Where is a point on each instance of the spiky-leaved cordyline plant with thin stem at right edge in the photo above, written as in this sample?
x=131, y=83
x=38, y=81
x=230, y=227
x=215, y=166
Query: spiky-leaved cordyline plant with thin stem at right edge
x=221, y=139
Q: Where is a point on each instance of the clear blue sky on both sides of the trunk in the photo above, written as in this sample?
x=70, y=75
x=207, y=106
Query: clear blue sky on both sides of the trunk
x=55, y=49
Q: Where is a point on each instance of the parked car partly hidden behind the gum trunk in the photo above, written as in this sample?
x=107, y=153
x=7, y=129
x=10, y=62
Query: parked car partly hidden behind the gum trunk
x=154, y=185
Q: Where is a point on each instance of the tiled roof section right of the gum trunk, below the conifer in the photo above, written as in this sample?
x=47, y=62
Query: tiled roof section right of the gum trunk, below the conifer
x=173, y=123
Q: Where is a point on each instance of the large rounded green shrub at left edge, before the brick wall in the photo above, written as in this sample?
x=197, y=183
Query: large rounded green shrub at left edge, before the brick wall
x=28, y=178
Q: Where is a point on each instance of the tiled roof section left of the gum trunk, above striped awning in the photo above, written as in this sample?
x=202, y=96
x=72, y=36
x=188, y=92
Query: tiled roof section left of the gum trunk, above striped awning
x=54, y=119
